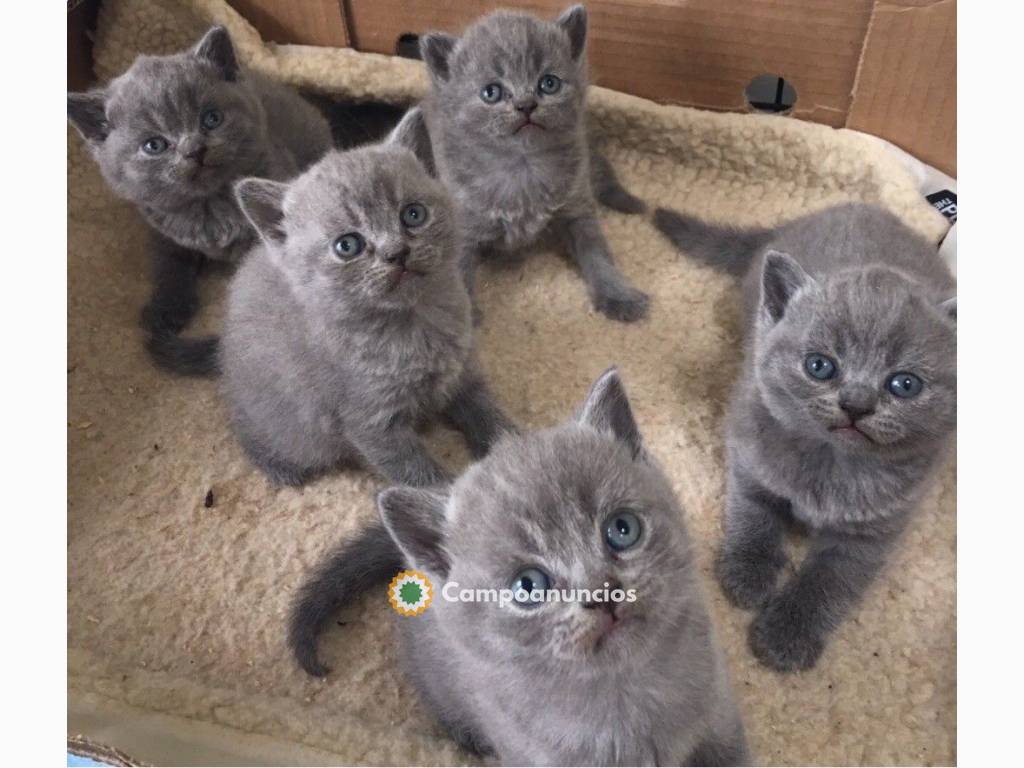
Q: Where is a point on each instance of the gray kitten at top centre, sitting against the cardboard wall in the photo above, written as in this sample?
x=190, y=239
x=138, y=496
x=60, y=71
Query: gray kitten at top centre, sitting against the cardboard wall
x=507, y=119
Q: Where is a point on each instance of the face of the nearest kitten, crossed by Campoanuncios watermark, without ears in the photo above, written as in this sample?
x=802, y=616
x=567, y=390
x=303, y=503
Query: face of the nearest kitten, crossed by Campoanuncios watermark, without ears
x=543, y=504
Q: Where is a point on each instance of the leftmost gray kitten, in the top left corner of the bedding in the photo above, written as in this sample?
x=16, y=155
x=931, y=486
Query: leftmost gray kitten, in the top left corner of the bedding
x=172, y=136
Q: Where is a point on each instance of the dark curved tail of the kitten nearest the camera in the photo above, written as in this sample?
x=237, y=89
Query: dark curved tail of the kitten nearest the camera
x=352, y=569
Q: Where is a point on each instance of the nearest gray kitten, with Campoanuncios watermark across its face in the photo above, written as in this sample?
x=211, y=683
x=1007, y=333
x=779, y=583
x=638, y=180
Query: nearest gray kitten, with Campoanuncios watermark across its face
x=541, y=680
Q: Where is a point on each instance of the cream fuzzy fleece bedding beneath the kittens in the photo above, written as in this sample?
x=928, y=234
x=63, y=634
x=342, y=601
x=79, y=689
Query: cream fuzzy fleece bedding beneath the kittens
x=183, y=559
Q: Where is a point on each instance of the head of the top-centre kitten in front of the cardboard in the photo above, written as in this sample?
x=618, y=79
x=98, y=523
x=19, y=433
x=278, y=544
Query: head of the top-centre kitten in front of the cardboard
x=514, y=80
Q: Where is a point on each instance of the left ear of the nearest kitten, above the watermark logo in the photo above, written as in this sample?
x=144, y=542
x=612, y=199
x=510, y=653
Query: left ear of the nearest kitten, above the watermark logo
x=415, y=518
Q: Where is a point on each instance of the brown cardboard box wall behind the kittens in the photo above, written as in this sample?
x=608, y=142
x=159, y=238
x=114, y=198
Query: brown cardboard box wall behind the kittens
x=884, y=67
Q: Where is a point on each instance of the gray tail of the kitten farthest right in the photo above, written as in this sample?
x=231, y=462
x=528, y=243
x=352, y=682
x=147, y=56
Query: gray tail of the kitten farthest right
x=726, y=248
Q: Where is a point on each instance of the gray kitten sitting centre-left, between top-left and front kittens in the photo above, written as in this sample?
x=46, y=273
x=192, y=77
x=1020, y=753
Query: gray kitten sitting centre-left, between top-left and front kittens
x=350, y=324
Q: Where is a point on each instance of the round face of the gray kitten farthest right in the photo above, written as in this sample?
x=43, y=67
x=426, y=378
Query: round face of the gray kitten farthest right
x=865, y=361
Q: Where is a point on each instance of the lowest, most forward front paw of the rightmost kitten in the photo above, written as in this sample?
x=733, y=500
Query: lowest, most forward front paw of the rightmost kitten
x=782, y=639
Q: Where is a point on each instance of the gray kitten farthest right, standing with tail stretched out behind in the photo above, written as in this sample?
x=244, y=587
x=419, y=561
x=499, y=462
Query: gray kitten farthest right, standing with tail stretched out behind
x=846, y=400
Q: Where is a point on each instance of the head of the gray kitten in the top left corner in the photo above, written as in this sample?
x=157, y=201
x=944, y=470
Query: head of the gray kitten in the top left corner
x=177, y=129
